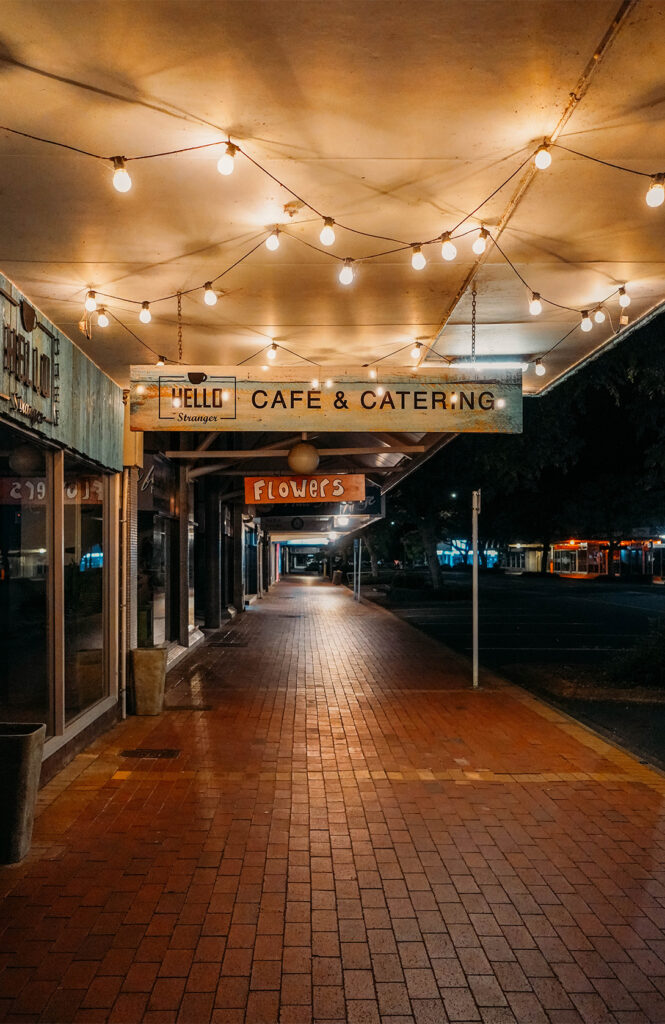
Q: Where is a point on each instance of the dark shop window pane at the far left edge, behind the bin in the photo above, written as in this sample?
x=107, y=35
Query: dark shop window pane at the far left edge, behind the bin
x=25, y=566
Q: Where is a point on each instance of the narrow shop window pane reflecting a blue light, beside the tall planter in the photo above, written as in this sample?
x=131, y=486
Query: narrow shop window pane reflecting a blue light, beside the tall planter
x=86, y=682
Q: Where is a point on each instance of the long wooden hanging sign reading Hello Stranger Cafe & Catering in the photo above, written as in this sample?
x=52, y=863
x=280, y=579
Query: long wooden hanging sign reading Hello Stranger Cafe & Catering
x=290, y=399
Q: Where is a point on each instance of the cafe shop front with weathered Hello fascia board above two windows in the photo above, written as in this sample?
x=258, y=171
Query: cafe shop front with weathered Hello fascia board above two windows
x=59, y=529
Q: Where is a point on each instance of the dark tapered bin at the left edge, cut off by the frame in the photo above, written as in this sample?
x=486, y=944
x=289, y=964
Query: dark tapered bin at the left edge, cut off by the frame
x=22, y=745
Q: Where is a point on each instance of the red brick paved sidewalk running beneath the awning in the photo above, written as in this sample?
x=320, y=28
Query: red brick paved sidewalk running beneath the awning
x=348, y=834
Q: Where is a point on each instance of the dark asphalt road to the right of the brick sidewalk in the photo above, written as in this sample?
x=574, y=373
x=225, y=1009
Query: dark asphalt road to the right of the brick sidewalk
x=553, y=622
